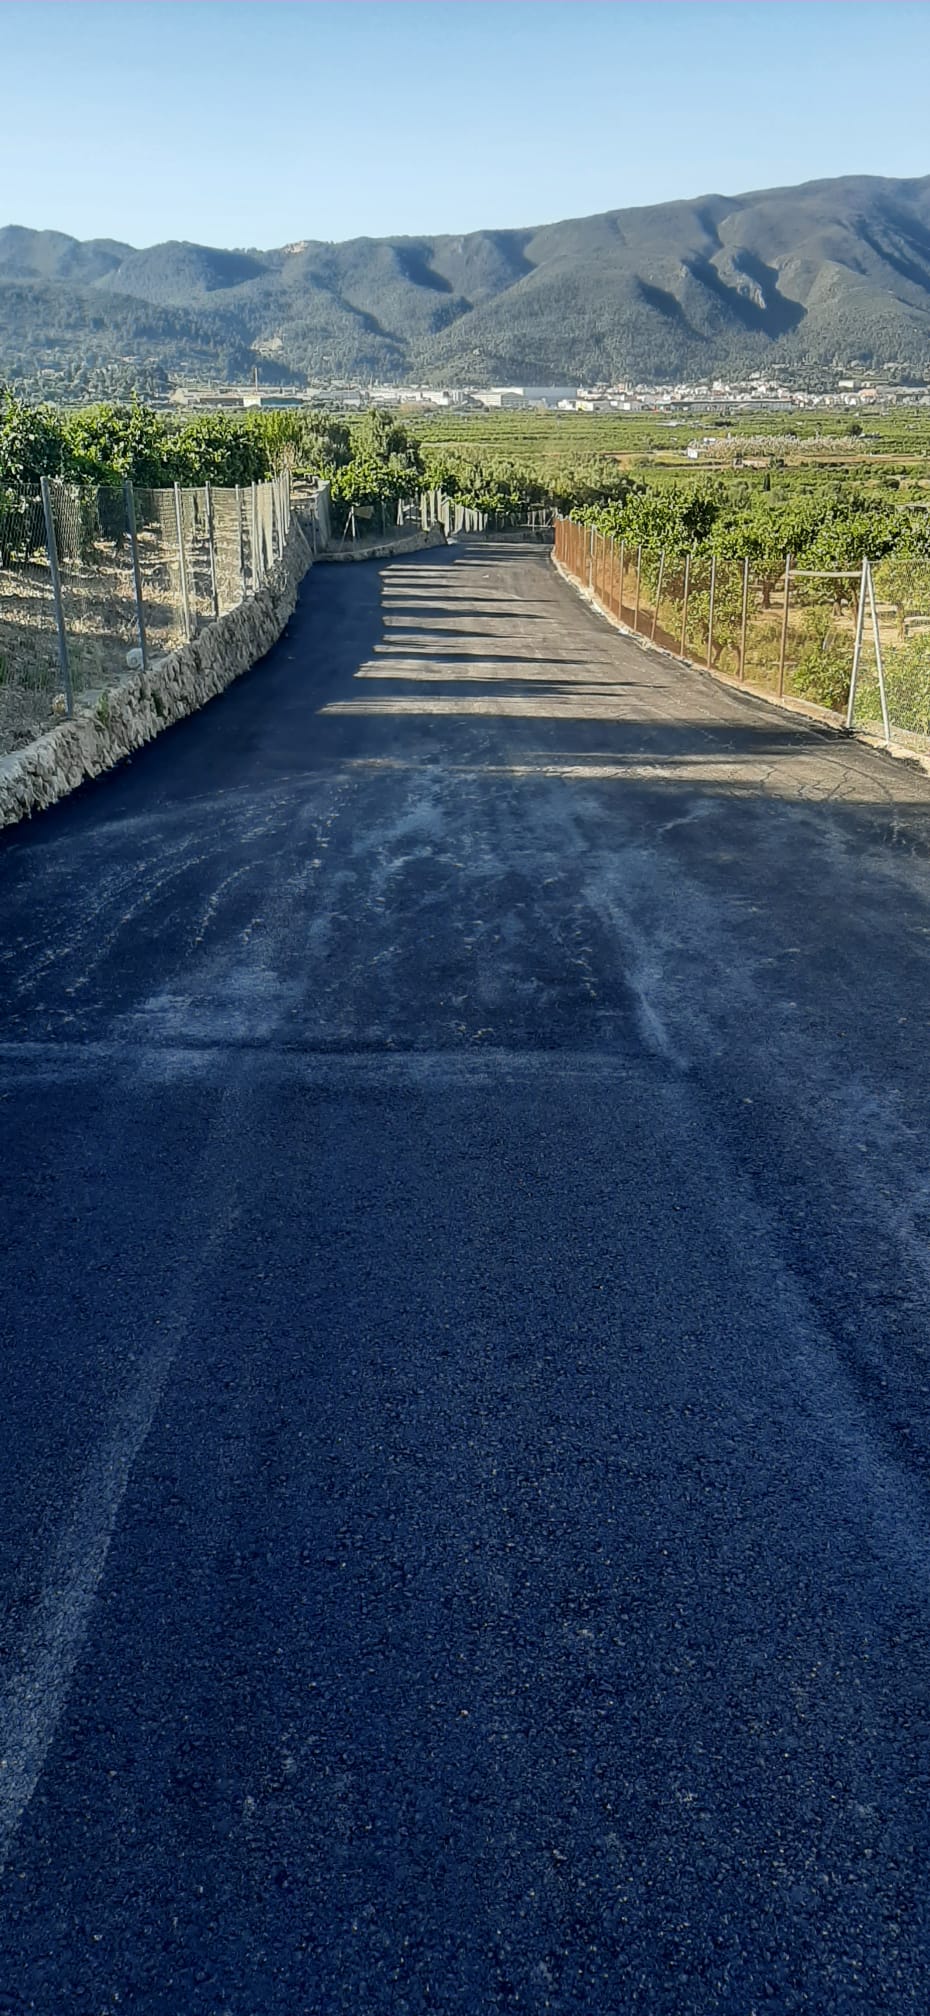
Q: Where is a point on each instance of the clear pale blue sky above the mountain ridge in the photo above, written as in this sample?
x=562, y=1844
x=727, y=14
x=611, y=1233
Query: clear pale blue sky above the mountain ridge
x=259, y=124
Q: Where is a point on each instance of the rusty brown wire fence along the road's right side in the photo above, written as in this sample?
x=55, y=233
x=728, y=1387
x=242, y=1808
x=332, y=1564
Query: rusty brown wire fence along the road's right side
x=854, y=642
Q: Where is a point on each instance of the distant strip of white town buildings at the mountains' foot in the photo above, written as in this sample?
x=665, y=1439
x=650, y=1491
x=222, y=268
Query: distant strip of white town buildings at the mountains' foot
x=760, y=396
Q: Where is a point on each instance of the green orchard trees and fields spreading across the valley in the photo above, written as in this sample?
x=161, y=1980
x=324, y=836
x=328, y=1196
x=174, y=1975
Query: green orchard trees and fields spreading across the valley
x=824, y=489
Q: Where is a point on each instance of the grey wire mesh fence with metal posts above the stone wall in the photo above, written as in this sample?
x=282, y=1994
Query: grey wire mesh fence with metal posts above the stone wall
x=102, y=582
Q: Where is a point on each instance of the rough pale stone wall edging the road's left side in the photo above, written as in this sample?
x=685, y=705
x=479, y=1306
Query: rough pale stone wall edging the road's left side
x=132, y=711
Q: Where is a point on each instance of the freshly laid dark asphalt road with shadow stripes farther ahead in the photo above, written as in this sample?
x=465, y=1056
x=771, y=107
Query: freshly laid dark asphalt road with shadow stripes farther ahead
x=465, y=1408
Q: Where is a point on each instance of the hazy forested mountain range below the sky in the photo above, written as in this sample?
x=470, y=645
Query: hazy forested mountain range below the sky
x=814, y=277
